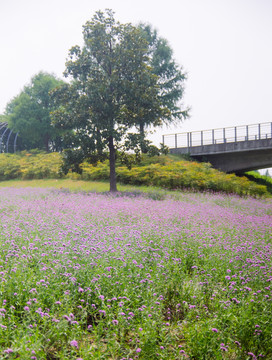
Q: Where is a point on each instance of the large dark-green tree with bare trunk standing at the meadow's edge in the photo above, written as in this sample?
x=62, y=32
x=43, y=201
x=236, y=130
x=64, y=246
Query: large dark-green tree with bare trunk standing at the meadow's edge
x=110, y=74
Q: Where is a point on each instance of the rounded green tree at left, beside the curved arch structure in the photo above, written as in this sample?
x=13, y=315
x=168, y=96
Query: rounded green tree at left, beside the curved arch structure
x=29, y=114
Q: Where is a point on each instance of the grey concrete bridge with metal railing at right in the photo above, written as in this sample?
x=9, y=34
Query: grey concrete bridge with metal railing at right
x=231, y=149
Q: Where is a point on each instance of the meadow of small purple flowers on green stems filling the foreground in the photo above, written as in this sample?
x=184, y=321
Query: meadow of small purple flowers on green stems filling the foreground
x=95, y=276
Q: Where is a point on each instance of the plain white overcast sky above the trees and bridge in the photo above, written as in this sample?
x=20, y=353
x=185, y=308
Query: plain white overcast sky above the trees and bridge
x=225, y=46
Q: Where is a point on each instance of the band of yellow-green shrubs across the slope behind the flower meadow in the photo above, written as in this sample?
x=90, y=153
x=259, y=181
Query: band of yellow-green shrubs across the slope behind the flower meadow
x=163, y=171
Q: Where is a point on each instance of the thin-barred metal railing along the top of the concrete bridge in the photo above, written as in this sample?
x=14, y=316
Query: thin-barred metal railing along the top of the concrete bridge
x=219, y=136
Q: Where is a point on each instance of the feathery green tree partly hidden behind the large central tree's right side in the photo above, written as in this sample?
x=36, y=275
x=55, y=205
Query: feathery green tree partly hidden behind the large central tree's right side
x=171, y=78
